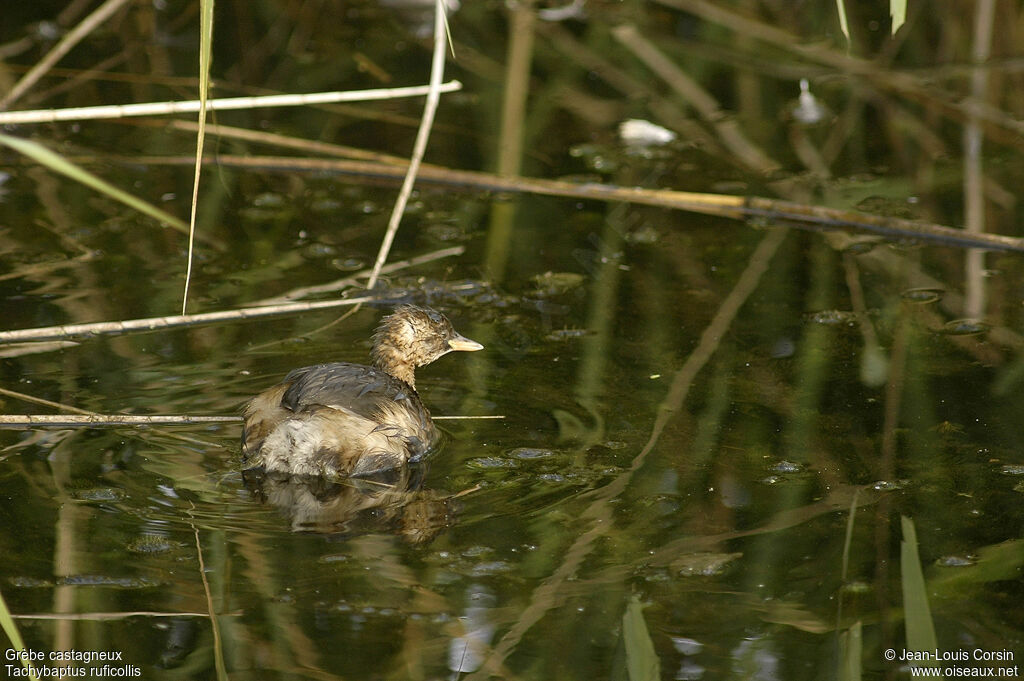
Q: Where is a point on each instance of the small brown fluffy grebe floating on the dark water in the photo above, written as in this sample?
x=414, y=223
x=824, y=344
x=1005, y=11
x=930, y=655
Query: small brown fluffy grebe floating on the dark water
x=346, y=419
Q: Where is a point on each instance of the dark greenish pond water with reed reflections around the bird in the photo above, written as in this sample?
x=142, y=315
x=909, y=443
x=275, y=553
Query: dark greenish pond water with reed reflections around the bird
x=728, y=448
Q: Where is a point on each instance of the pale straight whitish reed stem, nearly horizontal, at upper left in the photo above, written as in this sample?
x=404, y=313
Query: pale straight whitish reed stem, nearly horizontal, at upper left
x=193, y=106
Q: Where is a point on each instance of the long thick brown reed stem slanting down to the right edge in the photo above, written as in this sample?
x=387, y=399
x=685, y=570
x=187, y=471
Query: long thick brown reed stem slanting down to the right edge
x=790, y=214
